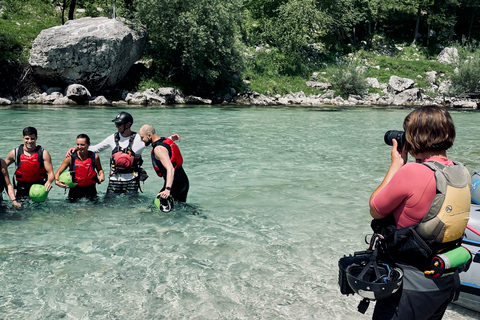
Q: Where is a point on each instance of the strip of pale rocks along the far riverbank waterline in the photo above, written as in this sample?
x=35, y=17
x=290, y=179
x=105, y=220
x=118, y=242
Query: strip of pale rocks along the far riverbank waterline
x=393, y=96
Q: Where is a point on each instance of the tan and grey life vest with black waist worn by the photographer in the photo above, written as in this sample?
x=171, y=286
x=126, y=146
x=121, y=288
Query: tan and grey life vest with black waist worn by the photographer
x=442, y=227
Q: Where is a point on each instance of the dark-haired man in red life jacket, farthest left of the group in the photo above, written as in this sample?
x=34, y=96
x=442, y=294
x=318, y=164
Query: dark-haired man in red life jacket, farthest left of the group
x=33, y=164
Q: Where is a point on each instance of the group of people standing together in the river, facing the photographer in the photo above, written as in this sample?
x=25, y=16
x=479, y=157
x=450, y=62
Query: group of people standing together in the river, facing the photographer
x=33, y=164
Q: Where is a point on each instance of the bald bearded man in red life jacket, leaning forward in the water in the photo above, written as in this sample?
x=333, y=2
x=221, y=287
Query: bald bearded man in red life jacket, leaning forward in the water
x=167, y=162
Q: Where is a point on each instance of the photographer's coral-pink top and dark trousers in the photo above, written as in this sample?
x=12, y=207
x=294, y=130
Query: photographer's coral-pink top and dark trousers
x=409, y=196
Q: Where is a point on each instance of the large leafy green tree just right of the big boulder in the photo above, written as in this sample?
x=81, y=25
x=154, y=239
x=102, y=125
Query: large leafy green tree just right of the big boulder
x=194, y=42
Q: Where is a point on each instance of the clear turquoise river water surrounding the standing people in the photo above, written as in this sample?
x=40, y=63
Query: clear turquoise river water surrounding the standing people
x=277, y=196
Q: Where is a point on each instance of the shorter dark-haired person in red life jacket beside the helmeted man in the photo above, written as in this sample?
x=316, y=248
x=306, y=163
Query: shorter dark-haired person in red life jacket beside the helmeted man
x=87, y=171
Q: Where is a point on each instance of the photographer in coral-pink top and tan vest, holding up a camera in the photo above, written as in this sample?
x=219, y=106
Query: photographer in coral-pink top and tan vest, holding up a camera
x=407, y=195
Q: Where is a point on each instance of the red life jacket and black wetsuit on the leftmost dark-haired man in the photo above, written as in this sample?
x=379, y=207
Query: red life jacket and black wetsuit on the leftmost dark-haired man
x=30, y=170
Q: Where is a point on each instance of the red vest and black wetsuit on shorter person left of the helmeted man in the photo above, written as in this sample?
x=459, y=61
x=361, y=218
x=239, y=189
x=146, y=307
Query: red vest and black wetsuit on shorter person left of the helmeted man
x=85, y=176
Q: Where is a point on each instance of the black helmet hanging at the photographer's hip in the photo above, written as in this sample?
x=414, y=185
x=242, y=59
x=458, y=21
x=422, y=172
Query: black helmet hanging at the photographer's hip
x=374, y=281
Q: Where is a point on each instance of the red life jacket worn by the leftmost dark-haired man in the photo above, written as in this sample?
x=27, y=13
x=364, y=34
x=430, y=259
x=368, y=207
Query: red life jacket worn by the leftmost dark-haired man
x=29, y=168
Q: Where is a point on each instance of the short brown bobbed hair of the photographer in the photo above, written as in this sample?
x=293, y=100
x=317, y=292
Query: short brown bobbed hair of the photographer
x=429, y=128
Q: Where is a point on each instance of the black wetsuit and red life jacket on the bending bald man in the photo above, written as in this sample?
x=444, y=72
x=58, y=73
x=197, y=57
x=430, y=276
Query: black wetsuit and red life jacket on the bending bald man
x=180, y=186
